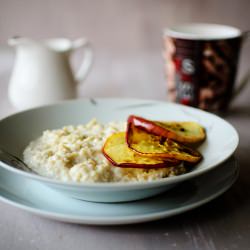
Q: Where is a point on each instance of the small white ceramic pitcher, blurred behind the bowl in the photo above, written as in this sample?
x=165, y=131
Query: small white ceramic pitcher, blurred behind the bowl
x=42, y=73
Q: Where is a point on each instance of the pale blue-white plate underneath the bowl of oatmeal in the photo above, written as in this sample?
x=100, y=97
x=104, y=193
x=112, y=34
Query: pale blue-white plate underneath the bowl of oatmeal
x=39, y=199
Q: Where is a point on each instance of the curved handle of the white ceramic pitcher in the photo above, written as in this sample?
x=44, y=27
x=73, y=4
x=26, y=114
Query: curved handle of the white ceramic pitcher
x=87, y=58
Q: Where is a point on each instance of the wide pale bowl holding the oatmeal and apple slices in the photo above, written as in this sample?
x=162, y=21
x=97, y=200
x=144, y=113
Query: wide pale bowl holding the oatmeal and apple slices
x=18, y=130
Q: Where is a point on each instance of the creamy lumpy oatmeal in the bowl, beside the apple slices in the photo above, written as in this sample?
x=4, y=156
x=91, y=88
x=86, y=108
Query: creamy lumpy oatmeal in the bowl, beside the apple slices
x=73, y=153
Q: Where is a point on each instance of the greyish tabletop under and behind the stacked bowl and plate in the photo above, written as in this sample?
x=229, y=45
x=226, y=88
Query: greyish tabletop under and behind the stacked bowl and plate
x=222, y=224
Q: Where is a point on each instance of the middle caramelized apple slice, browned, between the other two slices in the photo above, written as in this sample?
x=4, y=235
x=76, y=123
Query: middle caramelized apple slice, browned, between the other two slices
x=147, y=144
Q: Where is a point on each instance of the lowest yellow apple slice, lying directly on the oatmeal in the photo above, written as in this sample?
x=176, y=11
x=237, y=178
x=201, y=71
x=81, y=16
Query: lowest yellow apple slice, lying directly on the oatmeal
x=117, y=152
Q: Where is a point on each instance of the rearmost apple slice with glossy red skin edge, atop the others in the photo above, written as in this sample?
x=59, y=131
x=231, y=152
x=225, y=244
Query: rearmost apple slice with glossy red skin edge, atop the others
x=184, y=132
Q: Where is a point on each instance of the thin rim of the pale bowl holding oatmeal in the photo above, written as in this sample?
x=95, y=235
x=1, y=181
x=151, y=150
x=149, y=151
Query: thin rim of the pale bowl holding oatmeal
x=128, y=185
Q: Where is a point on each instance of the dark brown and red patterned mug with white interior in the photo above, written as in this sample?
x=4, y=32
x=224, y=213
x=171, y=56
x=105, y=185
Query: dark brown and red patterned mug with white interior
x=201, y=64
